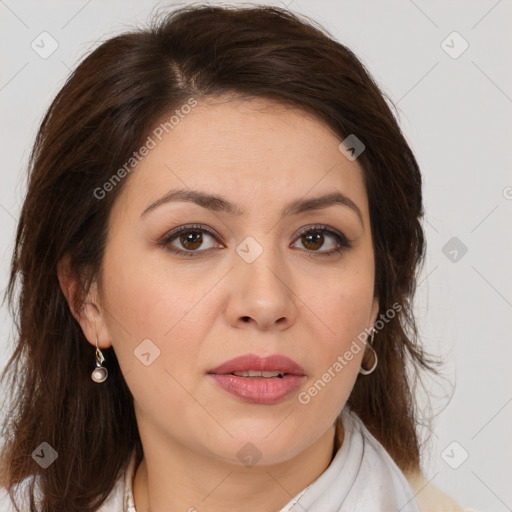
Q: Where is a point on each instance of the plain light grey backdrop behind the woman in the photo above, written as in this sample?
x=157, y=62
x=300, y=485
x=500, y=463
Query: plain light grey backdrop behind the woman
x=446, y=65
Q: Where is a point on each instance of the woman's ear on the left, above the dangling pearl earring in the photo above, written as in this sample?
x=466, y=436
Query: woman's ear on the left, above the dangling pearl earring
x=89, y=315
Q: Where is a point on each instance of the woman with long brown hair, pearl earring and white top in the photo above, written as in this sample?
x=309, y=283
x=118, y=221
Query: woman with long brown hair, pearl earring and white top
x=217, y=254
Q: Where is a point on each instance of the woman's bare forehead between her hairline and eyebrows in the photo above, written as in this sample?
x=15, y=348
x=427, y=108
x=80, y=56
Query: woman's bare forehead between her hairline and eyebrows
x=254, y=150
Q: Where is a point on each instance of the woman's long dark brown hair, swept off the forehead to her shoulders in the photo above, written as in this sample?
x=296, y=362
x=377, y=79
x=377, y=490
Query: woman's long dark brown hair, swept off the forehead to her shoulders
x=102, y=115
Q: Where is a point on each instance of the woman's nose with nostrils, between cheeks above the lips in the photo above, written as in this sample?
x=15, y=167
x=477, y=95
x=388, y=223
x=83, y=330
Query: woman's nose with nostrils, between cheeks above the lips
x=261, y=293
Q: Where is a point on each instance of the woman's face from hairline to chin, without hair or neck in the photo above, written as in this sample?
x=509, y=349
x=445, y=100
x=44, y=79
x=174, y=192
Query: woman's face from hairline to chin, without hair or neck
x=238, y=280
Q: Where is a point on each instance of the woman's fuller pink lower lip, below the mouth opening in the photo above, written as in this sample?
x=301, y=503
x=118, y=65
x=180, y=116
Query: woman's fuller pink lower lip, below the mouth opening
x=259, y=390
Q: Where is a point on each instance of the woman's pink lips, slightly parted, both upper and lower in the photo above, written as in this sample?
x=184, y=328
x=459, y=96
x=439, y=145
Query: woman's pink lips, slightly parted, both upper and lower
x=260, y=380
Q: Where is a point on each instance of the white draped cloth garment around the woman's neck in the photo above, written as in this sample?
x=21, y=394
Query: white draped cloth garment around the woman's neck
x=362, y=477
